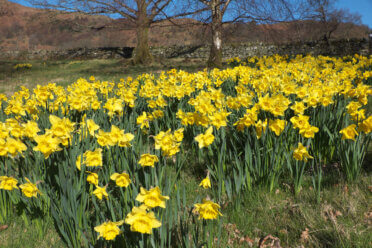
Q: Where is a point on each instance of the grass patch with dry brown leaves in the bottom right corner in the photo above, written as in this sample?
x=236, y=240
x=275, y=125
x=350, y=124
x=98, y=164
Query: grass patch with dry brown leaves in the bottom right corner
x=338, y=221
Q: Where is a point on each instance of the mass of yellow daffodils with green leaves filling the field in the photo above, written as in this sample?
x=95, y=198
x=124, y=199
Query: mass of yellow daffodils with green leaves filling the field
x=105, y=159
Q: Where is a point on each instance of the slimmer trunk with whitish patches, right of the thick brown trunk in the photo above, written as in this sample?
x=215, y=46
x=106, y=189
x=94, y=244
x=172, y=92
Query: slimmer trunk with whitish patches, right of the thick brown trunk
x=215, y=55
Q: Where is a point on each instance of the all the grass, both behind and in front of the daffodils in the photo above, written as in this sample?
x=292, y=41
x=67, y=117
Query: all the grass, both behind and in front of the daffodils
x=343, y=218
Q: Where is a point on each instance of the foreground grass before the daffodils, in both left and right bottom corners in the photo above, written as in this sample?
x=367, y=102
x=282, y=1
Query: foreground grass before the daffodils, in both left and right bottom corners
x=343, y=218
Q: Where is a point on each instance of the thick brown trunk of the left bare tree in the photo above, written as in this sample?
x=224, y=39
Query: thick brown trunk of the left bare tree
x=142, y=51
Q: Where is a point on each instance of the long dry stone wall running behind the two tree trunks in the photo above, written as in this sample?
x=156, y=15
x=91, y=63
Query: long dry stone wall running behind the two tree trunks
x=336, y=48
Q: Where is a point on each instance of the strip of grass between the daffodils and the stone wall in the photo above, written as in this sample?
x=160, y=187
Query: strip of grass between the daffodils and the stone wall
x=64, y=72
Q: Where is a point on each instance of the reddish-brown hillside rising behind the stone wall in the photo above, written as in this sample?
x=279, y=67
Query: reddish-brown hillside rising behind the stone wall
x=25, y=28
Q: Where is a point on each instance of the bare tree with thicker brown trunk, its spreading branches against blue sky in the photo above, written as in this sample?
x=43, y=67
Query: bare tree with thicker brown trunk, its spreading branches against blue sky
x=143, y=13
